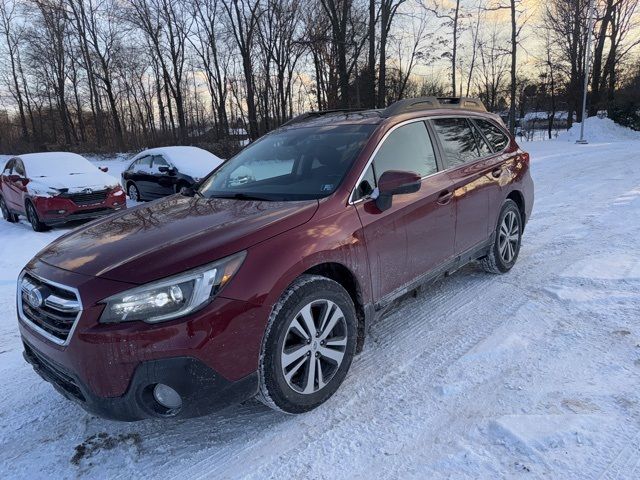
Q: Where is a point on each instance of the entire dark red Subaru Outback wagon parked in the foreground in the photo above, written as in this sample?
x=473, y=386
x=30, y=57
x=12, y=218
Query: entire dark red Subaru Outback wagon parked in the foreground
x=263, y=279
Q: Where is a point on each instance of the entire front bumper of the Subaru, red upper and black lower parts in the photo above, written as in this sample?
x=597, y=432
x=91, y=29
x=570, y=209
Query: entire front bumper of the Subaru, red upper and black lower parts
x=210, y=357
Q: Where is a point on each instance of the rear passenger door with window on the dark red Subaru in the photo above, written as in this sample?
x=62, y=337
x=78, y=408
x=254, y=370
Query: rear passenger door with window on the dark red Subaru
x=470, y=163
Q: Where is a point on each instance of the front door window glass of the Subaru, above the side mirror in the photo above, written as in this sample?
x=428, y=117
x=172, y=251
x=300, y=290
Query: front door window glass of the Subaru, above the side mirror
x=407, y=148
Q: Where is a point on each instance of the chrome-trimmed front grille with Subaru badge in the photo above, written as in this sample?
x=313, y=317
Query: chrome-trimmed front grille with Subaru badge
x=50, y=308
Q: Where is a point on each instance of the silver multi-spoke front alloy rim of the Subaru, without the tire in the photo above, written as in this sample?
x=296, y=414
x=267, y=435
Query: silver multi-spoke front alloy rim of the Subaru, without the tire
x=314, y=346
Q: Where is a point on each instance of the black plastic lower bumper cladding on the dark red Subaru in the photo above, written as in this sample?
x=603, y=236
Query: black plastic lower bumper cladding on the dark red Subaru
x=202, y=390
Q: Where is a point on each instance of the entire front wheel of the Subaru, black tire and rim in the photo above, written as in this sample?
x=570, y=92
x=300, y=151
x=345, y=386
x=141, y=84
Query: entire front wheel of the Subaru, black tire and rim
x=288, y=333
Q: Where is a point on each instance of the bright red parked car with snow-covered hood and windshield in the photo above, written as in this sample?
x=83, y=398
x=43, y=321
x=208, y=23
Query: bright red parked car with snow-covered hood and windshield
x=55, y=188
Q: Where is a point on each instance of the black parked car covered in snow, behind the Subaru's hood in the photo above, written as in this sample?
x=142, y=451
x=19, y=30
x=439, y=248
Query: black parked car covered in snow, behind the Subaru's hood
x=159, y=172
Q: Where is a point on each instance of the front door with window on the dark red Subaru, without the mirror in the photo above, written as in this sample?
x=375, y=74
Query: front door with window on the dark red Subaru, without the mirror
x=415, y=235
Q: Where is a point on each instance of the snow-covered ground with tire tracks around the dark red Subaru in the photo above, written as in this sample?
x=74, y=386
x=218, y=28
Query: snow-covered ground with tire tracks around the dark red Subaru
x=531, y=374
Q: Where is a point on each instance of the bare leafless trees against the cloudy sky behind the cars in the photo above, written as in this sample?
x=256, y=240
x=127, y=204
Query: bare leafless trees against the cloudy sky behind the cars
x=107, y=75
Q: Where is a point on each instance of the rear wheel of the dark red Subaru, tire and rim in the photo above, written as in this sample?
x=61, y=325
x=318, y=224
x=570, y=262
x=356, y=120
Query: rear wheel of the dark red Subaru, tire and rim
x=508, y=237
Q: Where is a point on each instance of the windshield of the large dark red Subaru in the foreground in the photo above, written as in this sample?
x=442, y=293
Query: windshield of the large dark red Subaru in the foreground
x=298, y=164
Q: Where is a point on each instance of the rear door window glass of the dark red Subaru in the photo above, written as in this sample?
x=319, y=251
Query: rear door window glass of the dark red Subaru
x=458, y=140
